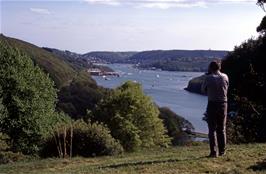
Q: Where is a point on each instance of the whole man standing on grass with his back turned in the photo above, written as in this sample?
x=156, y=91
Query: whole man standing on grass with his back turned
x=216, y=86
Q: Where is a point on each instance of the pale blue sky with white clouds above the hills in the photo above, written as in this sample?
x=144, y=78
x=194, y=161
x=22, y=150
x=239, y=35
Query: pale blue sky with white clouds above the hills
x=131, y=25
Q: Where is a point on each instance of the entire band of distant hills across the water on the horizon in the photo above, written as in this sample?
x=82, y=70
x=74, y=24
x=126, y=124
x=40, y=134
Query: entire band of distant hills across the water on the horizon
x=170, y=60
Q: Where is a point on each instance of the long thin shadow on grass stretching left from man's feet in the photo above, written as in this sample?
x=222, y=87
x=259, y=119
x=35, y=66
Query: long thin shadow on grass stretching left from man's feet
x=149, y=162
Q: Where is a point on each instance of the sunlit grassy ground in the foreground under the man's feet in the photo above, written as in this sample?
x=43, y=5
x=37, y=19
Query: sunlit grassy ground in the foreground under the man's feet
x=250, y=158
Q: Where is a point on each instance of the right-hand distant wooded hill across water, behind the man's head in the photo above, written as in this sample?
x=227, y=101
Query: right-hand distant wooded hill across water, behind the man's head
x=177, y=60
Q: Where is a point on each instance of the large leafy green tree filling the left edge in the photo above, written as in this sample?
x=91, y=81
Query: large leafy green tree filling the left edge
x=27, y=99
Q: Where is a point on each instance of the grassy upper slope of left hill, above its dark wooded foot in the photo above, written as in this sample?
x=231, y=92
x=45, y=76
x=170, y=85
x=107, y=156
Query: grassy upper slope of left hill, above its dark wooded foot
x=61, y=72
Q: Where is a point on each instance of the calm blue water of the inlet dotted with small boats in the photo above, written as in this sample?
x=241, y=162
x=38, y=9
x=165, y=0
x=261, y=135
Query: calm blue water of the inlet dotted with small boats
x=166, y=88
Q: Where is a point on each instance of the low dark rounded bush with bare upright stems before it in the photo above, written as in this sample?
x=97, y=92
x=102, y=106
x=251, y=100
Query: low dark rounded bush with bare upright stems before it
x=87, y=139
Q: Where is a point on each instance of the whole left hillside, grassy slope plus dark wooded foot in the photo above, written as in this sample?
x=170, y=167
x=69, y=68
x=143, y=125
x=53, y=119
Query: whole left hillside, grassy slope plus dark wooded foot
x=78, y=91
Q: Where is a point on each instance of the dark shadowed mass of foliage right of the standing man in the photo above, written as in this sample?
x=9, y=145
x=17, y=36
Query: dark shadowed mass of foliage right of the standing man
x=245, y=67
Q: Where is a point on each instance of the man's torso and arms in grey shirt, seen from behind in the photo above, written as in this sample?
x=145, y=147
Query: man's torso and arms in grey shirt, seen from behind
x=216, y=86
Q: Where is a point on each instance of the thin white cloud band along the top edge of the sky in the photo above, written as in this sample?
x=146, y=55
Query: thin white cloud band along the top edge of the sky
x=165, y=4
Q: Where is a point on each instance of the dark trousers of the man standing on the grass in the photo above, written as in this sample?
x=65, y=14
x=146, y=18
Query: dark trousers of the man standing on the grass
x=216, y=118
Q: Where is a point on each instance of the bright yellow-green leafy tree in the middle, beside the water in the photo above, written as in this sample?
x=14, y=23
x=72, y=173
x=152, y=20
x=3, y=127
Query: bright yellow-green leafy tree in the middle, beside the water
x=132, y=117
